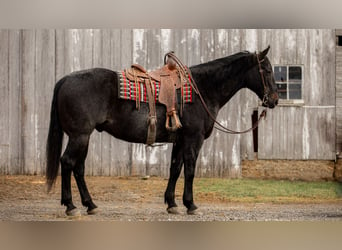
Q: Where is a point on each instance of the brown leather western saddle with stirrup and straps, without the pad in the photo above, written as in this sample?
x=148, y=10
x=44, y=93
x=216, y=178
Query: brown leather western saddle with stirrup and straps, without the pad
x=171, y=77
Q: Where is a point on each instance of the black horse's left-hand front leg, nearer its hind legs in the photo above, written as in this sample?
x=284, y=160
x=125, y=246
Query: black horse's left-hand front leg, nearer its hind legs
x=175, y=170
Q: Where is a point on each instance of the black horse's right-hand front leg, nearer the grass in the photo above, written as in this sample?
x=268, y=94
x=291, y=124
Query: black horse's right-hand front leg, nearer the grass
x=191, y=152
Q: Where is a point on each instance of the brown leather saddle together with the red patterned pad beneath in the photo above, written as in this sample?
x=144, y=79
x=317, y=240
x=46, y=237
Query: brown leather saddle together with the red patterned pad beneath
x=161, y=86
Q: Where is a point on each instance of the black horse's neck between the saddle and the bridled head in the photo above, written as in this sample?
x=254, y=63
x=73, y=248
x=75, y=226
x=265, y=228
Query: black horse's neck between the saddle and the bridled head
x=218, y=81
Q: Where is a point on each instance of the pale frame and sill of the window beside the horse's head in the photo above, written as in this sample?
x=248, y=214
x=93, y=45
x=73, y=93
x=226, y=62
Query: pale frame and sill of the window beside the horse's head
x=287, y=101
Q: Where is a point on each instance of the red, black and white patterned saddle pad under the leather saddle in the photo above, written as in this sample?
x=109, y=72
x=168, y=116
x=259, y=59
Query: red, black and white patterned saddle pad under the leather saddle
x=129, y=90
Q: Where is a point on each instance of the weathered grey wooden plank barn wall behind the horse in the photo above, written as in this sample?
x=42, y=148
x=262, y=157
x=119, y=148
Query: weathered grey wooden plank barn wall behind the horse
x=32, y=60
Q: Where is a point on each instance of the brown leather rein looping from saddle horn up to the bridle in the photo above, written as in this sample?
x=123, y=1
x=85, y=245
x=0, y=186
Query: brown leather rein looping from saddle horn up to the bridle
x=219, y=126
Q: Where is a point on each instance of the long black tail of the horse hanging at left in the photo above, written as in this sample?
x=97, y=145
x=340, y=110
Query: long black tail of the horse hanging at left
x=54, y=140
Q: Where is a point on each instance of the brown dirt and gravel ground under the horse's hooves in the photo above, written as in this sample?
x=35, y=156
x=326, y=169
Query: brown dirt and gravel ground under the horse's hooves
x=24, y=198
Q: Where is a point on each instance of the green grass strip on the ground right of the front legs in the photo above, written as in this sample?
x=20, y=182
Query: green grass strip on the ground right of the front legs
x=275, y=191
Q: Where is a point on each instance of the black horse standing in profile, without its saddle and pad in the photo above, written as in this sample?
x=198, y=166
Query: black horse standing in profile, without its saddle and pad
x=88, y=100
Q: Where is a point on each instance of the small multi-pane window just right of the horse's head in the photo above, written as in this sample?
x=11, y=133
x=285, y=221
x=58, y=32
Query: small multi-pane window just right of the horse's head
x=289, y=80
